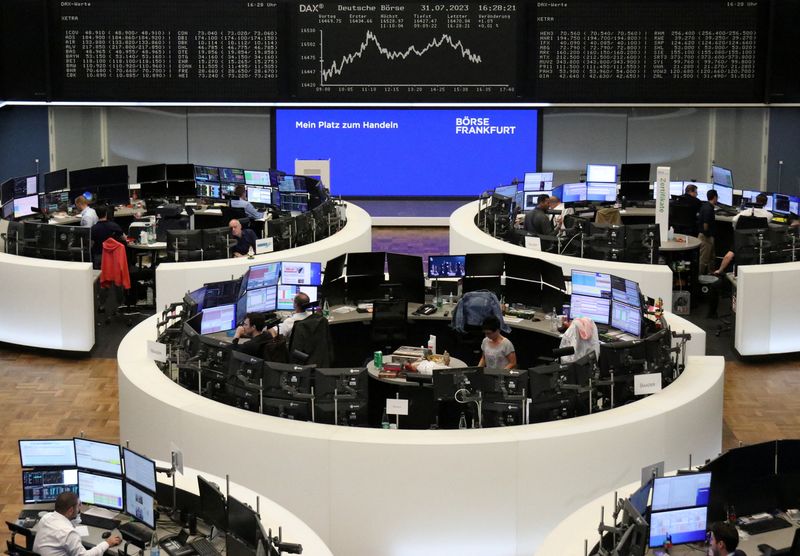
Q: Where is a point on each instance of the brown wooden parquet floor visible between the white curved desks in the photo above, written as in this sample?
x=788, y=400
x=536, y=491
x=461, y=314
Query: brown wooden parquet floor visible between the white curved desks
x=46, y=396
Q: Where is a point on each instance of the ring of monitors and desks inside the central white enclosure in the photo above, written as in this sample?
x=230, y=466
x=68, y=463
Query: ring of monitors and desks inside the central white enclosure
x=287, y=383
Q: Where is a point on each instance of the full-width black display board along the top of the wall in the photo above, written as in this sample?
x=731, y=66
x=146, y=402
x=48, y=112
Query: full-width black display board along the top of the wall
x=560, y=51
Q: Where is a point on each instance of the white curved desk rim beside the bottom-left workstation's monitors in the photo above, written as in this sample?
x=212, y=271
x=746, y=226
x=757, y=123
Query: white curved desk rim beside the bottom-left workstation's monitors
x=273, y=515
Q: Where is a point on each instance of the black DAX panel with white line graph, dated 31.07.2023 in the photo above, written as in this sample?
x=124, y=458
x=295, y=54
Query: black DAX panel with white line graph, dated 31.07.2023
x=436, y=50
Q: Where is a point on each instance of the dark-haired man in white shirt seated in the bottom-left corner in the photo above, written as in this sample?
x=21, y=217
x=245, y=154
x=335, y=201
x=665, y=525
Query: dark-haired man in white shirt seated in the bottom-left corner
x=56, y=534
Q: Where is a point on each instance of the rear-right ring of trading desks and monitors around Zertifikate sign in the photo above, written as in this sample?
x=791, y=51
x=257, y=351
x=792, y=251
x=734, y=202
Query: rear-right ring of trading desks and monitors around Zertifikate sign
x=639, y=243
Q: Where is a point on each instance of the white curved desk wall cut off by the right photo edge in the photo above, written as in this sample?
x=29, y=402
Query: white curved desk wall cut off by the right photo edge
x=767, y=309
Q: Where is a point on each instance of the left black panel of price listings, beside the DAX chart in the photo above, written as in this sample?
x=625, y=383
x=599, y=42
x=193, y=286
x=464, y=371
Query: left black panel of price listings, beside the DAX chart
x=152, y=49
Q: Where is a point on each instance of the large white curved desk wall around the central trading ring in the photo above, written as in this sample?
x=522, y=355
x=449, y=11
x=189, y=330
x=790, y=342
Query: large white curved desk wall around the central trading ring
x=396, y=492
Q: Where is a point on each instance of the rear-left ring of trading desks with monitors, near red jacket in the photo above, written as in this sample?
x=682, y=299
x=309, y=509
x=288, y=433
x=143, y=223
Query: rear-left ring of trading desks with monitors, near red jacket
x=300, y=209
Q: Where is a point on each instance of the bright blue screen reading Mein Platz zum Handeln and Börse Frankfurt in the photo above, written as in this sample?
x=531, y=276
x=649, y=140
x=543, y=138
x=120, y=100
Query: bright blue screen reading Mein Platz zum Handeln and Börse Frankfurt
x=401, y=152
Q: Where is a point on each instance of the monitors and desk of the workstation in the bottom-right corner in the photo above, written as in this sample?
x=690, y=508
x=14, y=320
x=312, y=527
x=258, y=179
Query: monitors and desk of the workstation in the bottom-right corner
x=754, y=488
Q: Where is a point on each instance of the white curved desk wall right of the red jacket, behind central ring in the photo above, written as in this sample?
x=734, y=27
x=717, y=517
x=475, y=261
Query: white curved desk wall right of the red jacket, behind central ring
x=173, y=280
